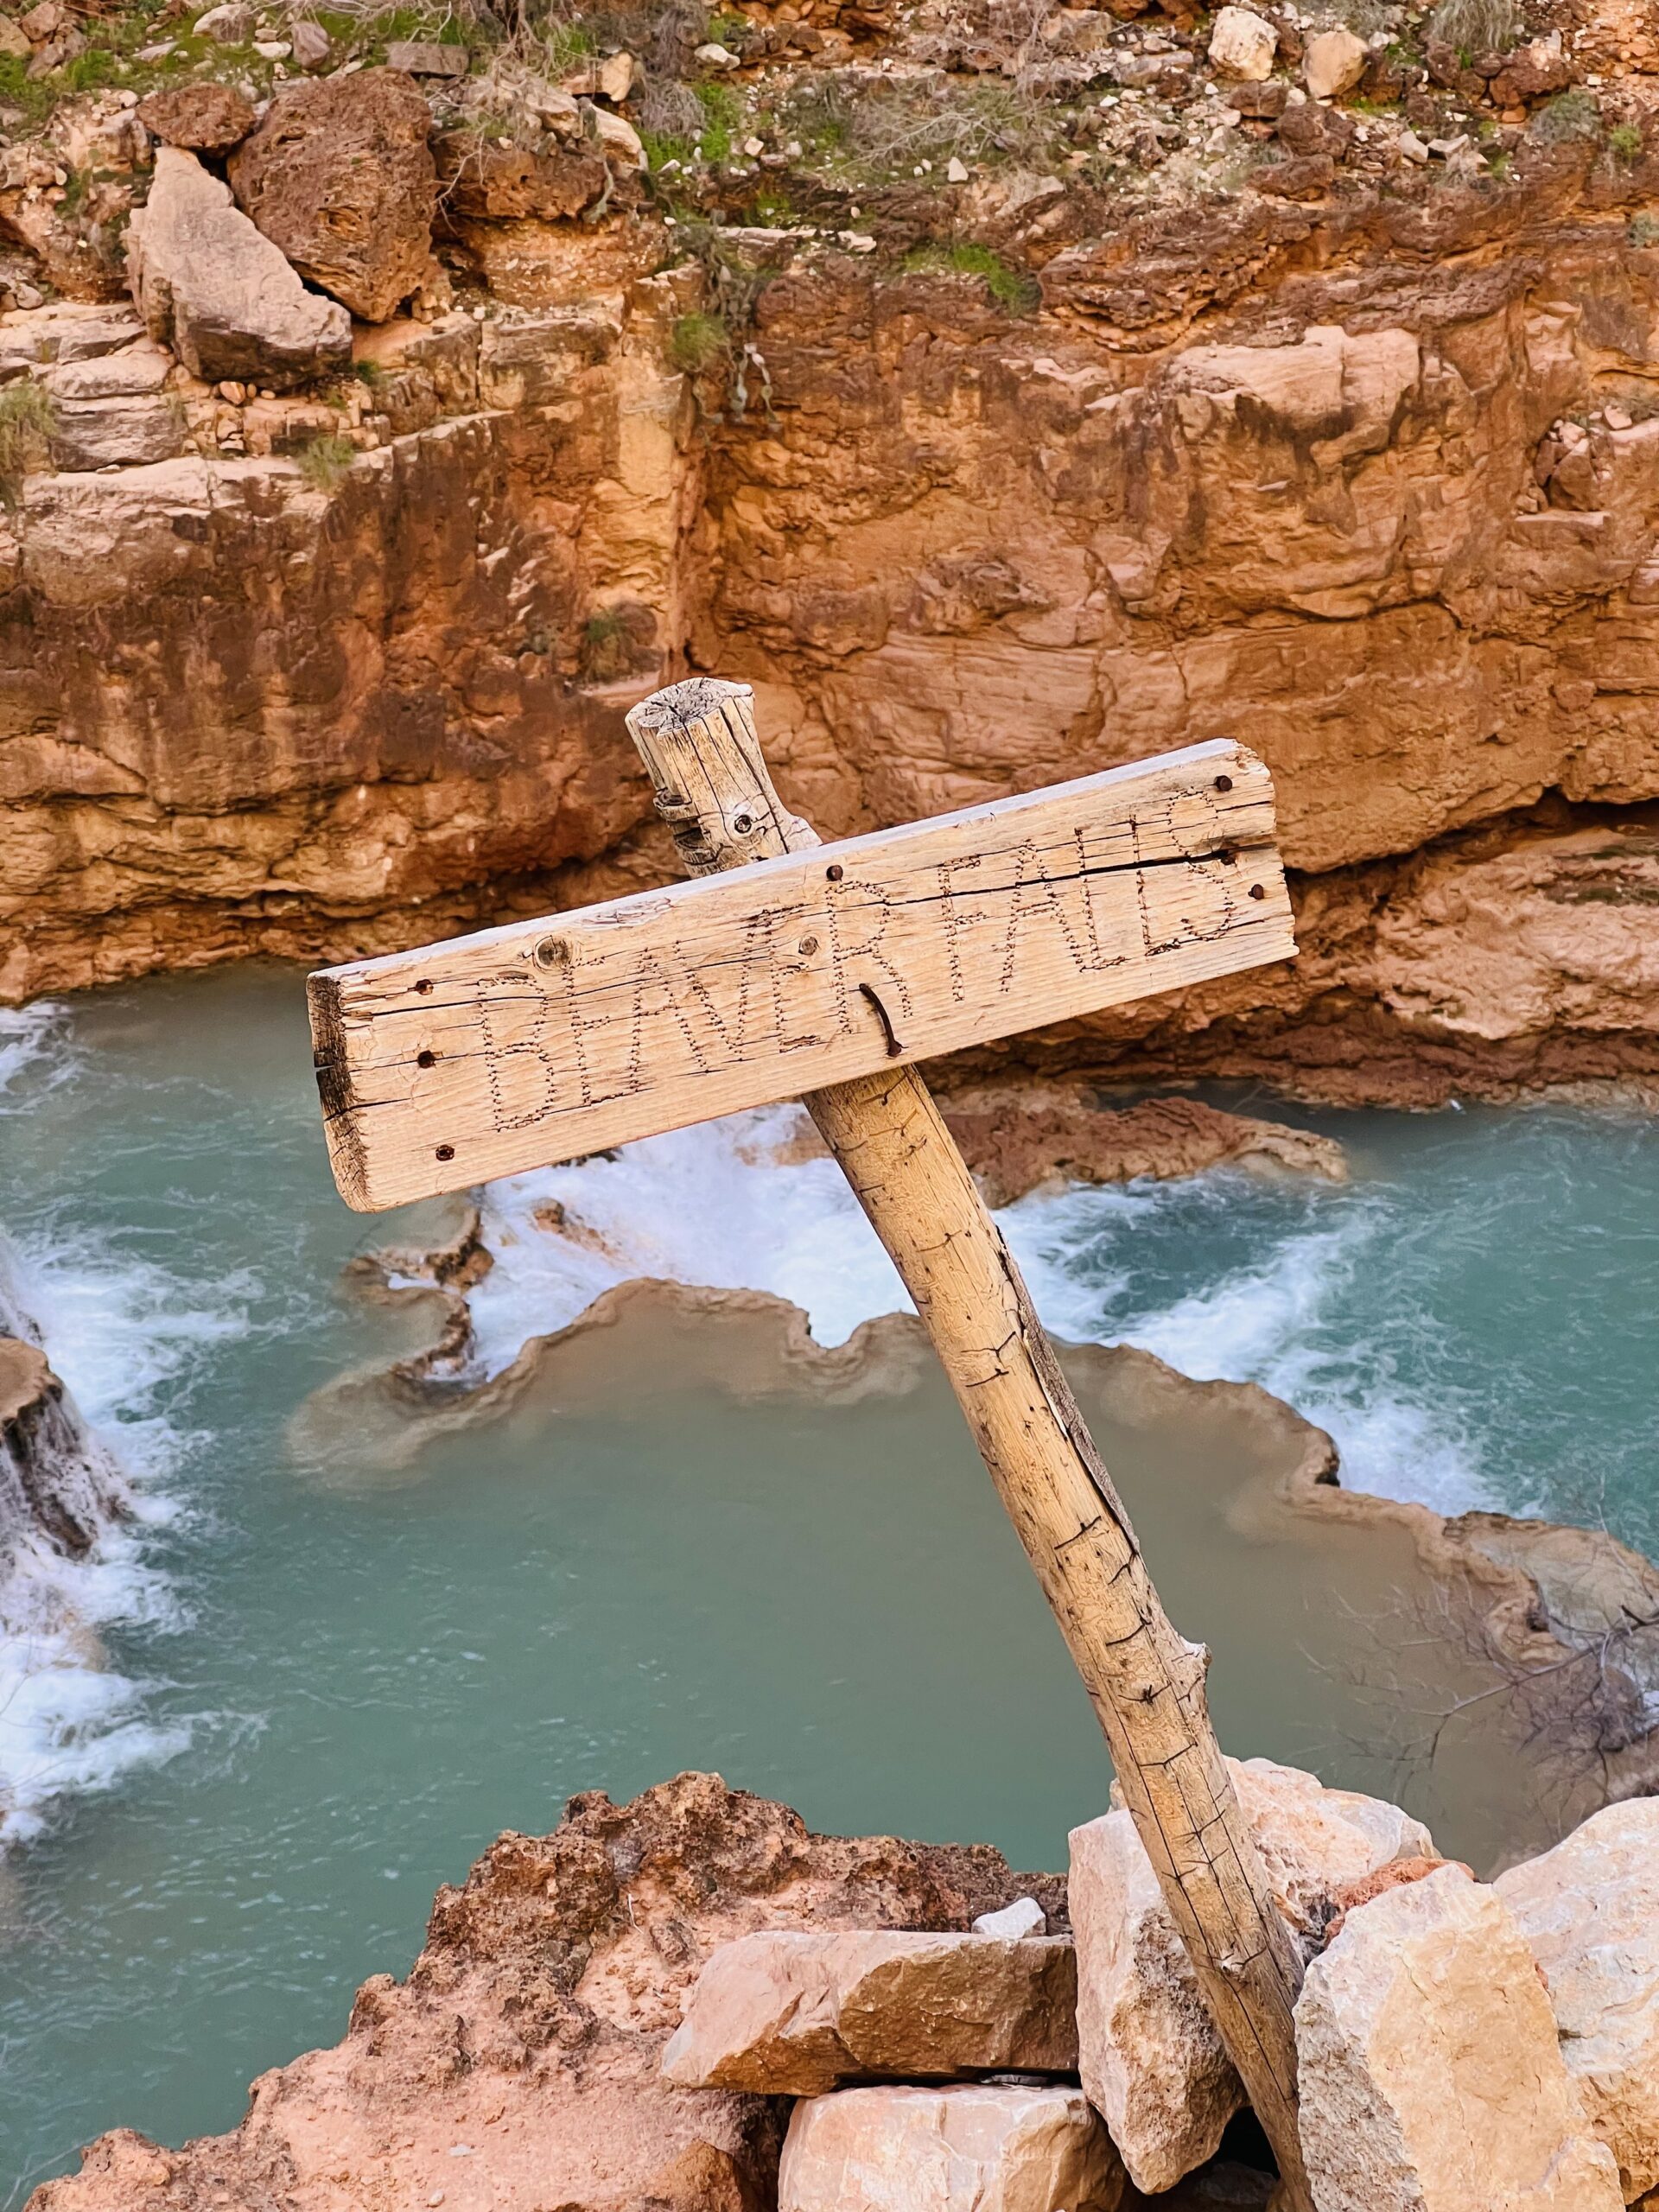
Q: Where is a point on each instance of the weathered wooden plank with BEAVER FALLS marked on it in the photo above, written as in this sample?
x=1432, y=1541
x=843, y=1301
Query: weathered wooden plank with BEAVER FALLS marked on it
x=545, y=1041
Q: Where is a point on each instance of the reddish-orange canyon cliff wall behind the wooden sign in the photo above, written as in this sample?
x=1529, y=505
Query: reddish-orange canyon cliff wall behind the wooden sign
x=1370, y=483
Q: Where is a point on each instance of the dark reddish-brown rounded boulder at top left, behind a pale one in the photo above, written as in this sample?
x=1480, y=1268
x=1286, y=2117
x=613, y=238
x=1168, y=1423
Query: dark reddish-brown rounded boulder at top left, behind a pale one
x=340, y=176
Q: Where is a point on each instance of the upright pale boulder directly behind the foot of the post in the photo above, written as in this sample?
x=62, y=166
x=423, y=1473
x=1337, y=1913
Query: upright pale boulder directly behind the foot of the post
x=1151, y=2058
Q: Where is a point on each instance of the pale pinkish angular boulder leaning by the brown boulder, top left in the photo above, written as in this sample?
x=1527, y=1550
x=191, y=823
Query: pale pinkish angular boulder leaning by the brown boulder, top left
x=218, y=293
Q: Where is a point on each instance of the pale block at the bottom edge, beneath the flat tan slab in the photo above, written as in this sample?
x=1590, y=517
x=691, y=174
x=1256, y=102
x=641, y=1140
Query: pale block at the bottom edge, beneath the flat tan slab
x=950, y=2151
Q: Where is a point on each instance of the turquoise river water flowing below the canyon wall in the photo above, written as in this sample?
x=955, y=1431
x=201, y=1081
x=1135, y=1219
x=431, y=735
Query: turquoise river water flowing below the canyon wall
x=326, y=1698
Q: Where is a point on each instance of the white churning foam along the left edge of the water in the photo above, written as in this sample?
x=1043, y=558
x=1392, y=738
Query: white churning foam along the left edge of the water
x=116, y=1331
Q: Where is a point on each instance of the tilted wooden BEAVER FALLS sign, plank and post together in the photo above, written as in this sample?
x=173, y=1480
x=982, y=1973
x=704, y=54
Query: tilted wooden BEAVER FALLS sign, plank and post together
x=824, y=972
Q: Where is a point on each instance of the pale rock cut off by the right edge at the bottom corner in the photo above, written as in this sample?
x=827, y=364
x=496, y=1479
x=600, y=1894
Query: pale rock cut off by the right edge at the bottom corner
x=1592, y=1914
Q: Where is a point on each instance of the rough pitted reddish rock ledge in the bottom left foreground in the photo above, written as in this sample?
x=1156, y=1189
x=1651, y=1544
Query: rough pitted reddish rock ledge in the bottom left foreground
x=534, y=2021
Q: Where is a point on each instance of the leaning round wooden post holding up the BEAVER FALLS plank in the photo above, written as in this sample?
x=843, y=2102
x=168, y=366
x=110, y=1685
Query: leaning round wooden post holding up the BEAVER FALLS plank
x=1145, y=1680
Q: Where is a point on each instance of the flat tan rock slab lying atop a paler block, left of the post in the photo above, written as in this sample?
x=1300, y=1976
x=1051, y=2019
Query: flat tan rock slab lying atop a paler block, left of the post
x=797, y=2014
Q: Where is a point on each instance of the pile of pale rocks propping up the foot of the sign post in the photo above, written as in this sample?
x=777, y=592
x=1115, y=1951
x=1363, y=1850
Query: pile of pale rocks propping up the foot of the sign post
x=1463, y=2047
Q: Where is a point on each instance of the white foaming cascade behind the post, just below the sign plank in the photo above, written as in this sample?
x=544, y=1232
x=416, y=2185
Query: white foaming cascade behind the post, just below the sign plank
x=729, y=1207
